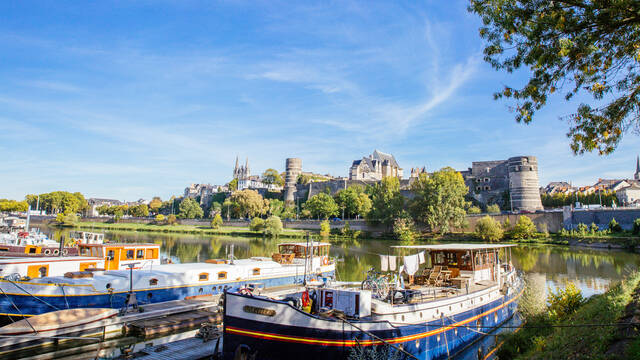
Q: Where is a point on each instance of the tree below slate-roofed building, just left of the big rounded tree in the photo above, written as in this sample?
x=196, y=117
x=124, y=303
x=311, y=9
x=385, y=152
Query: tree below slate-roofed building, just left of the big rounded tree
x=386, y=201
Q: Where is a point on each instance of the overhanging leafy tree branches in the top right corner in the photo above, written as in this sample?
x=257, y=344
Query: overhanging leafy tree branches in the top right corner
x=583, y=45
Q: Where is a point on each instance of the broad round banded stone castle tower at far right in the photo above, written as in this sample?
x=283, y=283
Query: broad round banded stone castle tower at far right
x=523, y=183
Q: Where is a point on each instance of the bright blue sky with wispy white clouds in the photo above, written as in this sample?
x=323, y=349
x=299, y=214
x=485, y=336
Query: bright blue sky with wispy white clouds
x=136, y=99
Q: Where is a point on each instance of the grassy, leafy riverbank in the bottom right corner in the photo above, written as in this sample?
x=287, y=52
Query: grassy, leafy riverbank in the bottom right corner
x=549, y=336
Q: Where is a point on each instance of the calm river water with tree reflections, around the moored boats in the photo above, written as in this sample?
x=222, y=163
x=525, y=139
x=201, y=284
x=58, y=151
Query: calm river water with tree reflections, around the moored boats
x=550, y=267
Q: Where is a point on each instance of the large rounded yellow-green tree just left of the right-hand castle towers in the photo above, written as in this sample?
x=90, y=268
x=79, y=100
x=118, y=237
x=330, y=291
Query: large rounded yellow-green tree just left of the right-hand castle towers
x=439, y=199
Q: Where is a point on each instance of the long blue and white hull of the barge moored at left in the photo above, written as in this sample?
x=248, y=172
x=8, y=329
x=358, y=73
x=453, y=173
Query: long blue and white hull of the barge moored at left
x=25, y=299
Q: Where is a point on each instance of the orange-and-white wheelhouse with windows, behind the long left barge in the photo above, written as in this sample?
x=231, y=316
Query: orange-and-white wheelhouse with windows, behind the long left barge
x=118, y=256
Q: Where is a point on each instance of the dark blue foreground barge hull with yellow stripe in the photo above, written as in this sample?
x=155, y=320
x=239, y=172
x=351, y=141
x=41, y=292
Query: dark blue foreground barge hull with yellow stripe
x=318, y=338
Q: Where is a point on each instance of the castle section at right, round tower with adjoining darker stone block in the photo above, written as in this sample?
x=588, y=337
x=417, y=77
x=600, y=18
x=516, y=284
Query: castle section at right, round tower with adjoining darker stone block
x=512, y=184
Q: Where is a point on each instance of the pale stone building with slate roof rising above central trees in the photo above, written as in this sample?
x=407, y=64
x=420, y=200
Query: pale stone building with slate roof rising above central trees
x=374, y=167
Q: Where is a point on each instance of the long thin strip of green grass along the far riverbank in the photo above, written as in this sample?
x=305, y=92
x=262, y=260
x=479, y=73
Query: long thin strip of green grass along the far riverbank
x=183, y=229
